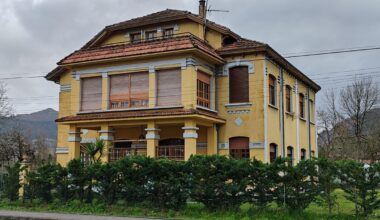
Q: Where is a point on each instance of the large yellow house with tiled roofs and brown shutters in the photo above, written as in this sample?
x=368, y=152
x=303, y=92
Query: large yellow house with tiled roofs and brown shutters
x=174, y=84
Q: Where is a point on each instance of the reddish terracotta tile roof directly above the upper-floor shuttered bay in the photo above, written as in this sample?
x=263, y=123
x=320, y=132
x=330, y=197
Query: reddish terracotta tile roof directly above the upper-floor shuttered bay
x=148, y=47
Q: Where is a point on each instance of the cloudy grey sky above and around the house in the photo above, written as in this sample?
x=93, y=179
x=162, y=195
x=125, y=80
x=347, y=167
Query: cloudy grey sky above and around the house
x=36, y=34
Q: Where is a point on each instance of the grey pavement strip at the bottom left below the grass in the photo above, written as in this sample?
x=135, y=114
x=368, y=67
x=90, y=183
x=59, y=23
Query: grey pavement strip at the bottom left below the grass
x=18, y=215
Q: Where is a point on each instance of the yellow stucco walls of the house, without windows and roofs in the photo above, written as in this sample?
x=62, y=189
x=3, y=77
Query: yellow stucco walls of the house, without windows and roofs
x=256, y=120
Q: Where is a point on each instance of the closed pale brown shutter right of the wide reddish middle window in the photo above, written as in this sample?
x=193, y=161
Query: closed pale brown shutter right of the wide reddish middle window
x=169, y=87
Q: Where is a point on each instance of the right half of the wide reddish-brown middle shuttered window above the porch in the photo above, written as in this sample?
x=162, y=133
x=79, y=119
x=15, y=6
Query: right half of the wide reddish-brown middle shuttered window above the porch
x=139, y=89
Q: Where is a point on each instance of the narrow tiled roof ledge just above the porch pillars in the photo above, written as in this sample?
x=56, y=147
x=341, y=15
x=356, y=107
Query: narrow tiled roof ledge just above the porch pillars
x=137, y=114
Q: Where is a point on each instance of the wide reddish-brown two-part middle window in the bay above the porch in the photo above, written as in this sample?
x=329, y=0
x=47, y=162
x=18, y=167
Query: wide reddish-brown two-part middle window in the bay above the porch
x=129, y=90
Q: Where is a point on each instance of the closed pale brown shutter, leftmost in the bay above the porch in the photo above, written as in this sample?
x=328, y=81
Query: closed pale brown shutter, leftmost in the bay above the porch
x=91, y=98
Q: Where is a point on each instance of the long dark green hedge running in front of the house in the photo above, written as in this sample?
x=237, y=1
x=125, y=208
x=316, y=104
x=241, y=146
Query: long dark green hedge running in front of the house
x=216, y=181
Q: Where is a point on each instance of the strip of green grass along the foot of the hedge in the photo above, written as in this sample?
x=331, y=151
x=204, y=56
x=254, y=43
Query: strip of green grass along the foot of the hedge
x=343, y=210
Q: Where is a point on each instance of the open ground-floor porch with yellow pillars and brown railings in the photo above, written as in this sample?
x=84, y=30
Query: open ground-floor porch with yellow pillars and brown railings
x=176, y=140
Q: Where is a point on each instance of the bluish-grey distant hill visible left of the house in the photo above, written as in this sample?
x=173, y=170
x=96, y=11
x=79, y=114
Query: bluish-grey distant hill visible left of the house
x=34, y=124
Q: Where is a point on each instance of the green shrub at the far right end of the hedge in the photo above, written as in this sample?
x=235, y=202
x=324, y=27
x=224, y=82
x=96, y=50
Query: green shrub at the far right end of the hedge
x=360, y=182
